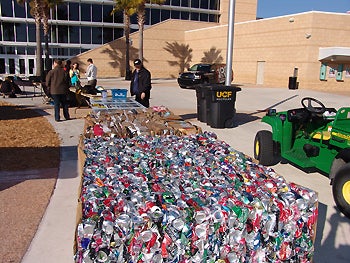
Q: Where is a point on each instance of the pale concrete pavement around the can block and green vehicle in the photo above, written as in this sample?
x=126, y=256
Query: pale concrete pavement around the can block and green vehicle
x=54, y=239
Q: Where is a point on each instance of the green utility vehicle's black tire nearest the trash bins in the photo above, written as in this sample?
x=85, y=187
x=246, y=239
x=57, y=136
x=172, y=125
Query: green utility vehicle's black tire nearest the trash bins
x=264, y=148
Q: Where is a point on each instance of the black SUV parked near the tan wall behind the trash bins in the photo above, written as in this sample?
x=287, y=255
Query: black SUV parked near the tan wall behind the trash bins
x=202, y=74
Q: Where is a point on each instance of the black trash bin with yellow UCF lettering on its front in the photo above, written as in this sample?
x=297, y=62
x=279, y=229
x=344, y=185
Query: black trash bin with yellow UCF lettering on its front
x=221, y=101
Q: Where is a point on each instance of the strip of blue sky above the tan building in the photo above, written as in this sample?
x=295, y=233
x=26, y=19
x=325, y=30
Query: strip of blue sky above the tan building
x=272, y=8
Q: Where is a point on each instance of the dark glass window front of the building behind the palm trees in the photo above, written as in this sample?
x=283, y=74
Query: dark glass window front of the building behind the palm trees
x=77, y=26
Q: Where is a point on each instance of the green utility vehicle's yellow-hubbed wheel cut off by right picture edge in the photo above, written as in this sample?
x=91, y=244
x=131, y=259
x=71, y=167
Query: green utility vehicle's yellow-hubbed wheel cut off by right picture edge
x=341, y=189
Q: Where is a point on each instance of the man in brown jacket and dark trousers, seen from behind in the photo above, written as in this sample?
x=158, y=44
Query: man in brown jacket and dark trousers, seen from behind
x=57, y=82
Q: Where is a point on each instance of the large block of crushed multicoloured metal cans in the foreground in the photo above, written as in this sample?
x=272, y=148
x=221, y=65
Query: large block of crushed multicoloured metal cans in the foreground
x=187, y=198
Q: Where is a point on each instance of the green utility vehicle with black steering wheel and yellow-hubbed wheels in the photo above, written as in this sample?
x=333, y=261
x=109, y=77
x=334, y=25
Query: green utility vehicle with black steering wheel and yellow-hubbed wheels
x=313, y=138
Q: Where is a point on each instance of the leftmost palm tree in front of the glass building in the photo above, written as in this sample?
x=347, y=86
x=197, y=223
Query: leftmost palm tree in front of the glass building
x=36, y=12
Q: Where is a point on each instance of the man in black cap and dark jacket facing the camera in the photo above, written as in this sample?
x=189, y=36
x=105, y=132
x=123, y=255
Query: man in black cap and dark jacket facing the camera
x=140, y=85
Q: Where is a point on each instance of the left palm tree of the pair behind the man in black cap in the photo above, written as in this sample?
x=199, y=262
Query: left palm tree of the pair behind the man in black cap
x=129, y=8
